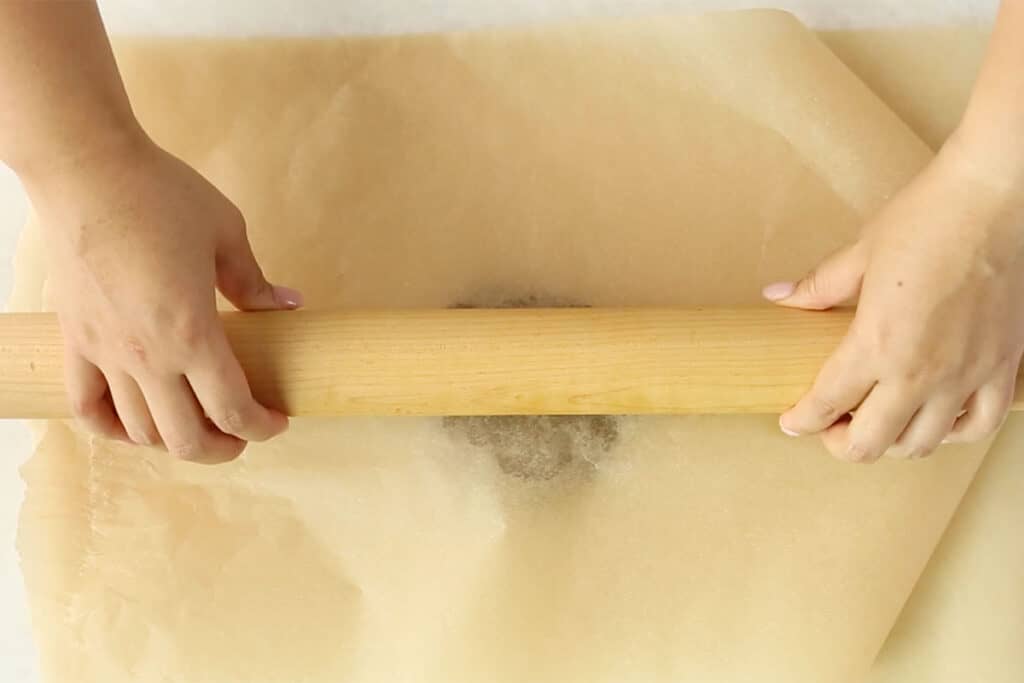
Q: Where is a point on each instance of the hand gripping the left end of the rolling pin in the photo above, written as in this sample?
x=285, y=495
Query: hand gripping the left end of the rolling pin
x=138, y=242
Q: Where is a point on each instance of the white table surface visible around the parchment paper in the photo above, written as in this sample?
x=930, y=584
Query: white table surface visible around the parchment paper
x=18, y=660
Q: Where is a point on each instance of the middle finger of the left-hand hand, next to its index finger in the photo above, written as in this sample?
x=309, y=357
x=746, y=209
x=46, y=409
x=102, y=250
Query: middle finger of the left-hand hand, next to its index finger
x=184, y=429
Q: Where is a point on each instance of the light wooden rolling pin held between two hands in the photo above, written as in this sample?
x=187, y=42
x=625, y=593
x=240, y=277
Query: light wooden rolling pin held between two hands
x=487, y=362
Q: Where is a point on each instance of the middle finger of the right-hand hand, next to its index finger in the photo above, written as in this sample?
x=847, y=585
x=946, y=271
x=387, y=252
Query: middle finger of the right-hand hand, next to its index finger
x=879, y=422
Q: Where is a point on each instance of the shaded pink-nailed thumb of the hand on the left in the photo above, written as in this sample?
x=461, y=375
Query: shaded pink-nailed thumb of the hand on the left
x=241, y=280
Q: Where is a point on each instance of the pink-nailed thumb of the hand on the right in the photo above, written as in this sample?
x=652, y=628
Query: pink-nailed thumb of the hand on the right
x=836, y=280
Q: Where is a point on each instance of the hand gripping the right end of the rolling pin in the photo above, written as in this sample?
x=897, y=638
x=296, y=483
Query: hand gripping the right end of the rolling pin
x=933, y=353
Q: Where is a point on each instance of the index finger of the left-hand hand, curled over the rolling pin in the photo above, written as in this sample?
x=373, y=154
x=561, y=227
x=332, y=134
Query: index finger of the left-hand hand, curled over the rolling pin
x=223, y=391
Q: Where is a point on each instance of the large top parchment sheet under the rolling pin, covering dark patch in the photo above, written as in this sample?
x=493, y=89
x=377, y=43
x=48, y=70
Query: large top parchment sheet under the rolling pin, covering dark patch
x=677, y=161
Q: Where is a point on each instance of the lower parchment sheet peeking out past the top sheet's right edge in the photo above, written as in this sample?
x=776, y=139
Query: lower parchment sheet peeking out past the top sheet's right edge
x=965, y=620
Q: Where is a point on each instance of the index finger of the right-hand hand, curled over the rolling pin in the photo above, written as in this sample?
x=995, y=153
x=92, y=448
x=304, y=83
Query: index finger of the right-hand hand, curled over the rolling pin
x=840, y=388
